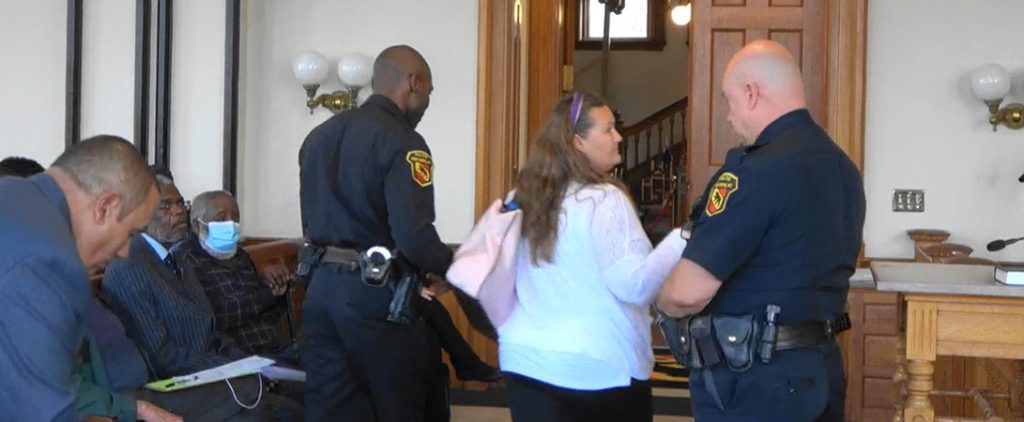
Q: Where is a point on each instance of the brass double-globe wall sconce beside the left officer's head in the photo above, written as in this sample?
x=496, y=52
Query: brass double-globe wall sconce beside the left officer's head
x=355, y=71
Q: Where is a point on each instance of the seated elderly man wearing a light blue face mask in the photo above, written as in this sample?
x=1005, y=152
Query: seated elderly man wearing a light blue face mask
x=248, y=306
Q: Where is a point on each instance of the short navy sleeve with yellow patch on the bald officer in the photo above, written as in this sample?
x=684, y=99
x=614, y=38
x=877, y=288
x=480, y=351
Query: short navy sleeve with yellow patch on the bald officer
x=740, y=208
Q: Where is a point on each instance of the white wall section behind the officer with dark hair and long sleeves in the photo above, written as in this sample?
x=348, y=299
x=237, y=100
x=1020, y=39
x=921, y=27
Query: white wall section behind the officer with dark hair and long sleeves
x=275, y=119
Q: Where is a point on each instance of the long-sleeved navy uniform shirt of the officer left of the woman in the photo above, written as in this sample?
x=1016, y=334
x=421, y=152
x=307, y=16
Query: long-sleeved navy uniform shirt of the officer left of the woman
x=367, y=180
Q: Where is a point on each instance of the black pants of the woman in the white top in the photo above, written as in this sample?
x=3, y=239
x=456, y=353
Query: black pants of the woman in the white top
x=534, y=401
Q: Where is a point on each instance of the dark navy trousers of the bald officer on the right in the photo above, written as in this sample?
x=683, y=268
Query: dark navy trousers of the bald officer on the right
x=800, y=386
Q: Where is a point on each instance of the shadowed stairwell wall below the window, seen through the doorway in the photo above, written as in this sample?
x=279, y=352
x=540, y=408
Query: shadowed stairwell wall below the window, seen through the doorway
x=639, y=82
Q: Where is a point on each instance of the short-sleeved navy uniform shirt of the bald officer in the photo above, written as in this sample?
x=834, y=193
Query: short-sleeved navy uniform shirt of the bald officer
x=781, y=224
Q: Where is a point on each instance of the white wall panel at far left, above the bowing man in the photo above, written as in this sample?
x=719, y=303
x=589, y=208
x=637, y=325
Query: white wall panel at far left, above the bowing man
x=32, y=78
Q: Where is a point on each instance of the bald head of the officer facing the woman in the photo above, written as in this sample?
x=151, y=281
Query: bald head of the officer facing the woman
x=762, y=83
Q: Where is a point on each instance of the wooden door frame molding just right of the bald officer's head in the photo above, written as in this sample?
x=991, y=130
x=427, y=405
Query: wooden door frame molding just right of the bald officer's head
x=847, y=53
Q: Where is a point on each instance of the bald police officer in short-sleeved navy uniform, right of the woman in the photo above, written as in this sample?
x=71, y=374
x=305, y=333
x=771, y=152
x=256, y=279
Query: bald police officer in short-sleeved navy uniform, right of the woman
x=781, y=225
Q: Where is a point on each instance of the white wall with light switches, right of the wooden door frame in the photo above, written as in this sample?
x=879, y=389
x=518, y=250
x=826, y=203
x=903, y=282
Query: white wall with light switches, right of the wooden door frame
x=925, y=130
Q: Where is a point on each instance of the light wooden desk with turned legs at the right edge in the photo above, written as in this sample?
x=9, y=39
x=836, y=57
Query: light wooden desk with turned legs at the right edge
x=942, y=320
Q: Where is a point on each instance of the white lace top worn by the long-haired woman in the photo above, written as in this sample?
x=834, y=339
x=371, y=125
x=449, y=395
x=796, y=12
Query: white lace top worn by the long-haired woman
x=584, y=320
